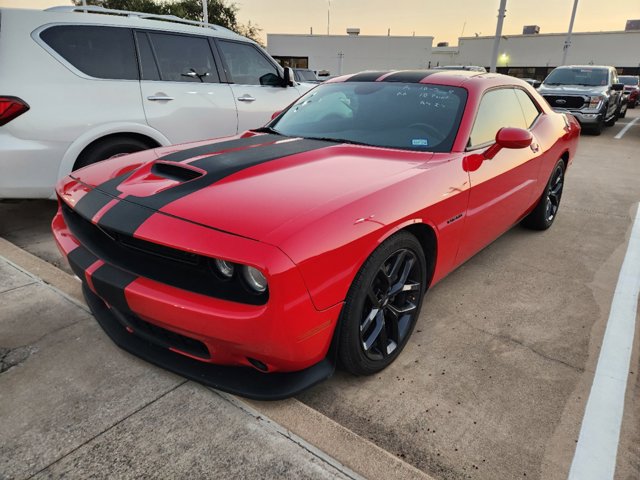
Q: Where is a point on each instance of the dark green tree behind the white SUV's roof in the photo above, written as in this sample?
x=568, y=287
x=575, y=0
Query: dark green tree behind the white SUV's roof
x=219, y=11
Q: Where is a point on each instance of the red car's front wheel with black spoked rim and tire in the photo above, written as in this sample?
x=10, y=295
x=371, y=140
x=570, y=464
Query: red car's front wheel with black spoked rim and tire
x=382, y=306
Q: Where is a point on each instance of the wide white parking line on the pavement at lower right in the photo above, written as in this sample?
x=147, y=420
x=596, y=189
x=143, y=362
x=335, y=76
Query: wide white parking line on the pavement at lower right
x=596, y=451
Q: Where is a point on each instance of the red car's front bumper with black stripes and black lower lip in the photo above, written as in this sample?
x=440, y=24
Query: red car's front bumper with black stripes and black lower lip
x=224, y=344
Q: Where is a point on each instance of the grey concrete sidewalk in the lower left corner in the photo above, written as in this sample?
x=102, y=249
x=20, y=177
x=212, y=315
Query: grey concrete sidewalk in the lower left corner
x=74, y=405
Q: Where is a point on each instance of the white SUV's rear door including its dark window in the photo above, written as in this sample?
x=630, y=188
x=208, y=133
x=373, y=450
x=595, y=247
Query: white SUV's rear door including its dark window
x=180, y=88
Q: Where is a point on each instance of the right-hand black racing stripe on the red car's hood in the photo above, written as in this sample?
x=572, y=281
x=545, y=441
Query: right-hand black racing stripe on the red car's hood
x=128, y=214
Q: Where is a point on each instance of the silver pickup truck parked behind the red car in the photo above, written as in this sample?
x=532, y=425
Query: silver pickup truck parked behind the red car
x=592, y=94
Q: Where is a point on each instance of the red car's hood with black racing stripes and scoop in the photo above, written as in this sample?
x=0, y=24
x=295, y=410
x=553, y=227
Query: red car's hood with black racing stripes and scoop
x=251, y=186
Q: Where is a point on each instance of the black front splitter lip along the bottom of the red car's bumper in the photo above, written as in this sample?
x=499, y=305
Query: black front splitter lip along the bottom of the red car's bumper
x=243, y=381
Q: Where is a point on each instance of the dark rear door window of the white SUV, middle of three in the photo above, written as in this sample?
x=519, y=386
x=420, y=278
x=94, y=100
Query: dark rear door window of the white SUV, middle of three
x=182, y=58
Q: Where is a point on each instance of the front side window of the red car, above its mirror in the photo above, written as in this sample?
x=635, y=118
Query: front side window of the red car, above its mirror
x=498, y=108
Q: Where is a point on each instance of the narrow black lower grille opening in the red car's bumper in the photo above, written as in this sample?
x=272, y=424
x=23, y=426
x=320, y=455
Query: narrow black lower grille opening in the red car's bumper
x=163, y=337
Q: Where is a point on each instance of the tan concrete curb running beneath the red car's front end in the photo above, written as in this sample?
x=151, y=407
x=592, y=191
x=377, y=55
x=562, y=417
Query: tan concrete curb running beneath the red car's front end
x=329, y=440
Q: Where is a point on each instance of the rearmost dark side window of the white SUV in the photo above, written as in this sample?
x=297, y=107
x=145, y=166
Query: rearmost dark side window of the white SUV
x=100, y=52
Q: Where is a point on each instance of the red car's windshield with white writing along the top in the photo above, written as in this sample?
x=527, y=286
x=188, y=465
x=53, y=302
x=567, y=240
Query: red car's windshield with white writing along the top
x=409, y=116
